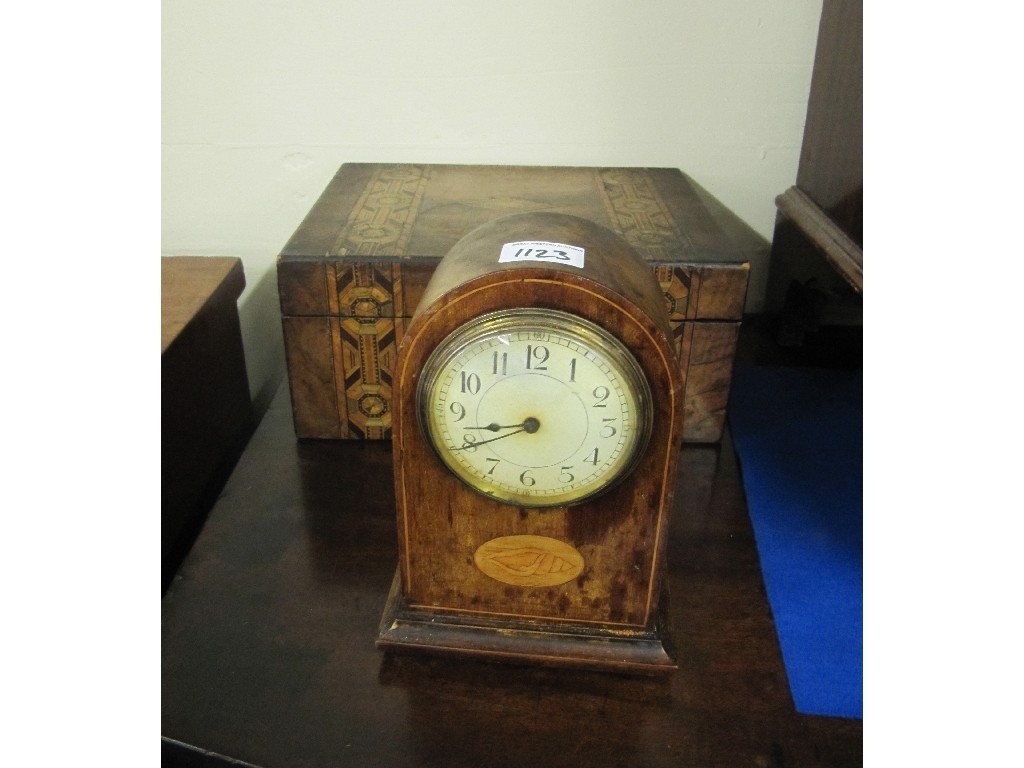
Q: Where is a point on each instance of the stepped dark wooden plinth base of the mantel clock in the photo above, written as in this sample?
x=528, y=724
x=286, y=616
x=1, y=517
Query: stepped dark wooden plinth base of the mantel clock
x=549, y=645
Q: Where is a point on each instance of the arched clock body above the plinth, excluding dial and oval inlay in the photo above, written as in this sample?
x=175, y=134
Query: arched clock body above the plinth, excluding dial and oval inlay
x=621, y=535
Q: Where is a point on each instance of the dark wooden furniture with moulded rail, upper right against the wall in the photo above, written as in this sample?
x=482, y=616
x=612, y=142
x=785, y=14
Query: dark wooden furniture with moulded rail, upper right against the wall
x=817, y=276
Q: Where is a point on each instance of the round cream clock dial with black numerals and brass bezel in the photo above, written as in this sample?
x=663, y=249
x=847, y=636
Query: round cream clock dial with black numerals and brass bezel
x=535, y=408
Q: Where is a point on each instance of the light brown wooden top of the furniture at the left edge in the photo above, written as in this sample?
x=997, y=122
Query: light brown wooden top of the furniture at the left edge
x=189, y=284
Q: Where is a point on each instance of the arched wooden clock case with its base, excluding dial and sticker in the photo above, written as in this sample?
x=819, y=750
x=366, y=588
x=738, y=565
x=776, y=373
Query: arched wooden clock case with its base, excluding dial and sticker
x=578, y=585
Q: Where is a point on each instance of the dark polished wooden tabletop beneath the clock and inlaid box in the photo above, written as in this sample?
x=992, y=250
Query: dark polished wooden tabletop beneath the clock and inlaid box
x=269, y=633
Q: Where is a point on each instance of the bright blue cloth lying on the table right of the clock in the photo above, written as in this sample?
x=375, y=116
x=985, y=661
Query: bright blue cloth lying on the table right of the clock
x=798, y=434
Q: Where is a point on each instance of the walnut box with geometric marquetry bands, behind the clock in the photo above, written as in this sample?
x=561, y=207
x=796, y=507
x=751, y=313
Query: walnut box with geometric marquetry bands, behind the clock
x=352, y=275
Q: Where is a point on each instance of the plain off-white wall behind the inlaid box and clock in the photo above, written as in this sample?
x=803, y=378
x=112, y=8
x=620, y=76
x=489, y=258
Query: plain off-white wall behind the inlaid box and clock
x=263, y=101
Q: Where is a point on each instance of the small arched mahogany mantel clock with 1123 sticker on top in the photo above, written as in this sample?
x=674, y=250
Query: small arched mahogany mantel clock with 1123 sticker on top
x=537, y=424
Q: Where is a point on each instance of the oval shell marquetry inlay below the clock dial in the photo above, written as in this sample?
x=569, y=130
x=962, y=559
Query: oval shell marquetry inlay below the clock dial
x=529, y=561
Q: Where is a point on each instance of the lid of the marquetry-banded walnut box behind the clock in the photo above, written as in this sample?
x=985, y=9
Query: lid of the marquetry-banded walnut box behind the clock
x=409, y=217
